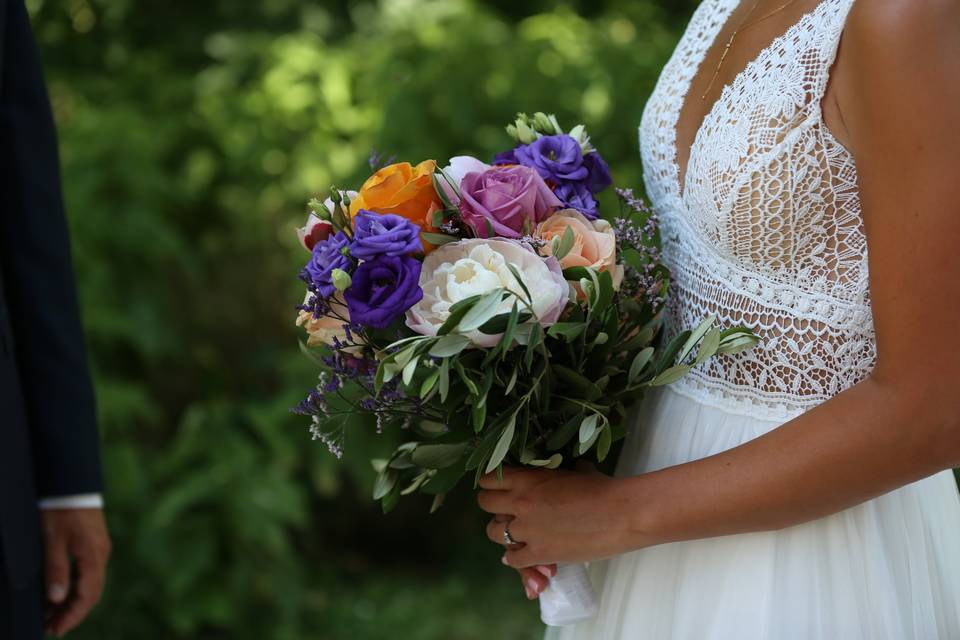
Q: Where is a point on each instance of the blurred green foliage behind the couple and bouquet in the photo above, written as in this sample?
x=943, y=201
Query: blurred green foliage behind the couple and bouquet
x=192, y=133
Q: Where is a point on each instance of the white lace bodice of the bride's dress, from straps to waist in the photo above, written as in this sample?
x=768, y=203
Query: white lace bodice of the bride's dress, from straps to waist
x=767, y=230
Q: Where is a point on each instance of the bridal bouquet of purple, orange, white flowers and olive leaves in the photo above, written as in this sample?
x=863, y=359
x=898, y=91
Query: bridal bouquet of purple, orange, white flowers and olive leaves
x=489, y=312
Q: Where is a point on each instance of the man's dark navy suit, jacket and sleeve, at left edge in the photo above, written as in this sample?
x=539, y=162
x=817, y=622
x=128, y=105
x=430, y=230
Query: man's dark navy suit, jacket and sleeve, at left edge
x=48, y=439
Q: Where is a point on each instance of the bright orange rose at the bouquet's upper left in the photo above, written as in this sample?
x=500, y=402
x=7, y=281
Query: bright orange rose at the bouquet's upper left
x=404, y=190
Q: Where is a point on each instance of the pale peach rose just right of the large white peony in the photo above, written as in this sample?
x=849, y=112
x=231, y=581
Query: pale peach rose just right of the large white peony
x=594, y=245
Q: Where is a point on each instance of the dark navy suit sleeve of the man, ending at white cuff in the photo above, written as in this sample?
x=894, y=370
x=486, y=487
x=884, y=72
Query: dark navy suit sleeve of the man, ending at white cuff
x=37, y=275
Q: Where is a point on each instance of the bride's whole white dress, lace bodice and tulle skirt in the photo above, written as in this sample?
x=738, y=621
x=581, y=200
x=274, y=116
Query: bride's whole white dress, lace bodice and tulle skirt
x=767, y=232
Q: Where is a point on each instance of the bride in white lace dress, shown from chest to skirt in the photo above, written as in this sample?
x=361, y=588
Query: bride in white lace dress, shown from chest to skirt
x=800, y=490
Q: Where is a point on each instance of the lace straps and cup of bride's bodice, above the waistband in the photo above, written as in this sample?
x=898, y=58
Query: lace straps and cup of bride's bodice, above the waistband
x=766, y=184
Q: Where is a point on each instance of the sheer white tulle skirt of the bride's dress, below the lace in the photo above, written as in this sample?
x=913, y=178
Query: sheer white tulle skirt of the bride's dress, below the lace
x=888, y=569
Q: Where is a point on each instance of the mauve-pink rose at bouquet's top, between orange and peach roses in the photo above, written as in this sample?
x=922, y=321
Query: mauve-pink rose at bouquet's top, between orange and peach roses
x=506, y=201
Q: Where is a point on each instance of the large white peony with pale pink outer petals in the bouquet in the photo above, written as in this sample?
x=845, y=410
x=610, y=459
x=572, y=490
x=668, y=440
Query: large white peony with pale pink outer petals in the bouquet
x=467, y=268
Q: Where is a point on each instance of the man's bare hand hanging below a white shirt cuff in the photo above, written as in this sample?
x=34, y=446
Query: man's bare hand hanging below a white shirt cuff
x=80, y=536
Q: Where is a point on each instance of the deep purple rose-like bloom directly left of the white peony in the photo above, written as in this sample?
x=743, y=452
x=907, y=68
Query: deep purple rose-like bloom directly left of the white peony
x=383, y=289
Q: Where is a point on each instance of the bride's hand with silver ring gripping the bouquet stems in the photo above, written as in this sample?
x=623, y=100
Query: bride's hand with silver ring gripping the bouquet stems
x=559, y=516
